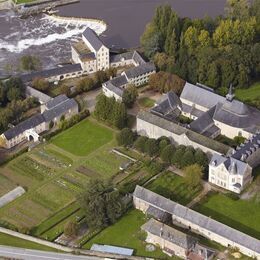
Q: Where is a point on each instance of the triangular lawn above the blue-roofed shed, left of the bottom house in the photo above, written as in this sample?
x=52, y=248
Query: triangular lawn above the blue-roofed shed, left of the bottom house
x=126, y=233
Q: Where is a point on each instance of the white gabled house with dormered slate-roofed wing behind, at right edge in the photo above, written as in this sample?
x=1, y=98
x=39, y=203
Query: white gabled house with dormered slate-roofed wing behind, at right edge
x=234, y=172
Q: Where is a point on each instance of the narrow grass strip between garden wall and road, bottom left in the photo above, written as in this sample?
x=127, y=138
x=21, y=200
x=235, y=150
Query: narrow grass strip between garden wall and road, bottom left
x=8, y=240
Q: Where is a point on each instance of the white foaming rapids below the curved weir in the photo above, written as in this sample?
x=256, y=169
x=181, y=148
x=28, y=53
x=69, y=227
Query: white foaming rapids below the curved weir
x=43, y=36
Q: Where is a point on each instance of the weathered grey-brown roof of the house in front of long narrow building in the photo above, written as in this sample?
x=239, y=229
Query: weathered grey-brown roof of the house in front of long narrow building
x=170, y=234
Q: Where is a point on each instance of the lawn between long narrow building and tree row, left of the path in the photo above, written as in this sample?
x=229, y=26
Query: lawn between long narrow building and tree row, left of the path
x=173, y=187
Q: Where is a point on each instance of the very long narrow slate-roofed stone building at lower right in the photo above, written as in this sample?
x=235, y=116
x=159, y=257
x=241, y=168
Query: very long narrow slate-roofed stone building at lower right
x=198, y=223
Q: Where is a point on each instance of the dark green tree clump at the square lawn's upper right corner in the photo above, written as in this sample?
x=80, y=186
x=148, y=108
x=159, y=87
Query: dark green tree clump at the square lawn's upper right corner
x=109, y=110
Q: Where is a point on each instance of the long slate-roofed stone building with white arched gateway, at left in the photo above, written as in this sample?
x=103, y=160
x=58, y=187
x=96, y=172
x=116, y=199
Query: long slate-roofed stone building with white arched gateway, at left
x=29, y=129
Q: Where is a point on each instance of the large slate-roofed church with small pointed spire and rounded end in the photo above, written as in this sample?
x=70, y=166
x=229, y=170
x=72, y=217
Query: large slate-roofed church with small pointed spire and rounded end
x=214, y=114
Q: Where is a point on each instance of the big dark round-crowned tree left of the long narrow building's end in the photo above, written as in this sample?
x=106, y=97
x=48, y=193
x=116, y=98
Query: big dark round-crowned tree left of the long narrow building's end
x=101, y=203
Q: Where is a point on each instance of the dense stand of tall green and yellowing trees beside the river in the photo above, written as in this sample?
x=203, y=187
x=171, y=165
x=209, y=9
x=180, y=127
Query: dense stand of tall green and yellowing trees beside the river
x=215, y=52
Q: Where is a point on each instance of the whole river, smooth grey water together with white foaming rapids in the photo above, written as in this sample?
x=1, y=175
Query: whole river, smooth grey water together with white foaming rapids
x=50, y=40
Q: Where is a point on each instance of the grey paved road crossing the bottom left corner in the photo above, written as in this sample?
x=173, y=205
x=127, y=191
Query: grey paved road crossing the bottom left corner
x=27, y=254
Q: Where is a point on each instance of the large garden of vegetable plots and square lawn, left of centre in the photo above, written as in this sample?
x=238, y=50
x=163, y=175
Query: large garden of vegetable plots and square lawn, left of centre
x=53, y=175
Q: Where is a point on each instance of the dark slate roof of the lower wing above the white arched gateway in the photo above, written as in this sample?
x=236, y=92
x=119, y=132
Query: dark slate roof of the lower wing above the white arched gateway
x=23, y=126
